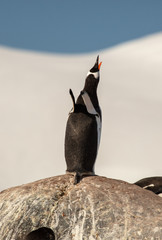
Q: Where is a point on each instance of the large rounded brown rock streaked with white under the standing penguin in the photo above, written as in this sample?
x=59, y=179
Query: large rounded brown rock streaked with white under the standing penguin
x=97, y=208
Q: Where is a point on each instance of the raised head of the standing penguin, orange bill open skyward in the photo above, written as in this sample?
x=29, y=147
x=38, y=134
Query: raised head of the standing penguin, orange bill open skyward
x=93, y=76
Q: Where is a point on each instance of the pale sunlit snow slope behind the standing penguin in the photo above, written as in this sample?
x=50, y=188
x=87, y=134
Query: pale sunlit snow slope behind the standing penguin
x=34, y=106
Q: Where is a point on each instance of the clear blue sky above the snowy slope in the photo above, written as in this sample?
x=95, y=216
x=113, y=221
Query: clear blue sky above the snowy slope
x=76, y=26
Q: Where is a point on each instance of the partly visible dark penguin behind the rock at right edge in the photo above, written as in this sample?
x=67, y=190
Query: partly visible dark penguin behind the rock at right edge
x=153, y=184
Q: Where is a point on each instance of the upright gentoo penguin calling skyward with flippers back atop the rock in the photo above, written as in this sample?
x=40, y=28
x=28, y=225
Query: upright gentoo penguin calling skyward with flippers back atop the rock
x=83, y=129
